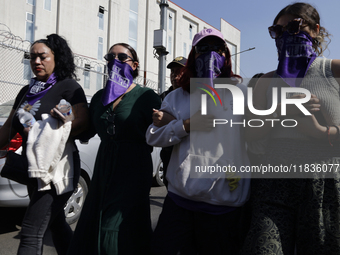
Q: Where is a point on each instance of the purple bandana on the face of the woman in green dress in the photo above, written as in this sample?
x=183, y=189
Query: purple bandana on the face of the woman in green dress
x=120, y=79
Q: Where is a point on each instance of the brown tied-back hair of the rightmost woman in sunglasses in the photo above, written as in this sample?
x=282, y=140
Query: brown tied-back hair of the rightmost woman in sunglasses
x=311, y=18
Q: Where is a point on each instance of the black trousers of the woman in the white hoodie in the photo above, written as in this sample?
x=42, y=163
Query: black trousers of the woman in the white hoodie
x=180, y=231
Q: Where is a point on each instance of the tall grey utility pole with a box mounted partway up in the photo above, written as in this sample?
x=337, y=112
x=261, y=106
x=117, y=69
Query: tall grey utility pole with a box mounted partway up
x=160, y=45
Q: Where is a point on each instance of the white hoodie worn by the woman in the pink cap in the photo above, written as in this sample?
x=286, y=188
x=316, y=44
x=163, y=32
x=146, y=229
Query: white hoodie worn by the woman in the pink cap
x=195, y=152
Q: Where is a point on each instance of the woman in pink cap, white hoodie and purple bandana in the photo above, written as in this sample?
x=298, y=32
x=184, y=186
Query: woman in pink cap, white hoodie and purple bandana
x=201, y=215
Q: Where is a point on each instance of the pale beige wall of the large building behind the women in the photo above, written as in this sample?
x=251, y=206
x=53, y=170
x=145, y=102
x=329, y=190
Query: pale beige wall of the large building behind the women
x=79, y=24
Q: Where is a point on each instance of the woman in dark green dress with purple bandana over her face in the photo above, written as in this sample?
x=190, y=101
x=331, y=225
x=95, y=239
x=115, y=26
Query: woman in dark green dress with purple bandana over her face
x=116, y=214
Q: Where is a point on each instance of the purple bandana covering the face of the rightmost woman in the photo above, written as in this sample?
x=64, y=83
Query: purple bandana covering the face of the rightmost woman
x=296, y=54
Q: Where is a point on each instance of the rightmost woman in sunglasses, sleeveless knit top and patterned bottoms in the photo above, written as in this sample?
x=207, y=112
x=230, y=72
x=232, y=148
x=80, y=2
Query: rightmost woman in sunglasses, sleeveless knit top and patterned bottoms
x=298, y=213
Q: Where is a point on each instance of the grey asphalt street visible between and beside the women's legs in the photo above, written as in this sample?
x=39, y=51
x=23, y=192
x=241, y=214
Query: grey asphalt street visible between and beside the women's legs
x=10, y=222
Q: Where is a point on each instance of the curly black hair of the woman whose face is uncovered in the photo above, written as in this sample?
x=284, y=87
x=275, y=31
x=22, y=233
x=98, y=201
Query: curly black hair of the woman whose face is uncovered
x=63, y=56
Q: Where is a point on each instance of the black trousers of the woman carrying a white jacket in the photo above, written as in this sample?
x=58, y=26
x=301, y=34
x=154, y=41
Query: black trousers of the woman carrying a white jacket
x=46, y=210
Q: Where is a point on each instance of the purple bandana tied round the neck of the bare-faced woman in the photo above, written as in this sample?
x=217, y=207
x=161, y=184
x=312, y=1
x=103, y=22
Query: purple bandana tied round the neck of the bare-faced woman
x=37, y=89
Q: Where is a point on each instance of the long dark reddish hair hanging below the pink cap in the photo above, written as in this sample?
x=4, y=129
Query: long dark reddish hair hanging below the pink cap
x=189, y=70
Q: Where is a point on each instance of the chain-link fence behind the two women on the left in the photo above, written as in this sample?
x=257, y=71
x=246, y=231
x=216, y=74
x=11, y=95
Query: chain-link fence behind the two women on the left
x=15, y=70
